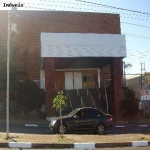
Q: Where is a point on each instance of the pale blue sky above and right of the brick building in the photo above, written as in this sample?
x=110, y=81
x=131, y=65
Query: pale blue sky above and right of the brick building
x=136, y=26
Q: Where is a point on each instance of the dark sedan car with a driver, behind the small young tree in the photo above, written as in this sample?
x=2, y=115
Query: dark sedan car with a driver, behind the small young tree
x=81, y=119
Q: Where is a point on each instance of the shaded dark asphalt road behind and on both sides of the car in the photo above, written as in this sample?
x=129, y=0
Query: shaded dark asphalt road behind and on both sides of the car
x=43, y=129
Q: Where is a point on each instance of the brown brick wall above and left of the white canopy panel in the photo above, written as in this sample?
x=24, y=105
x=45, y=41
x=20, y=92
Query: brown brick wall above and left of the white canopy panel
x=31, y=23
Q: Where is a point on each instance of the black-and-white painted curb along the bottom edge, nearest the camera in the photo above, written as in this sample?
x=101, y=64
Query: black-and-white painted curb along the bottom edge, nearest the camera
x=74, y=145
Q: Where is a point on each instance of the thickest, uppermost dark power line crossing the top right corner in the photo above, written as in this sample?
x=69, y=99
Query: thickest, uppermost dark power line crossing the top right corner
x=134, y=11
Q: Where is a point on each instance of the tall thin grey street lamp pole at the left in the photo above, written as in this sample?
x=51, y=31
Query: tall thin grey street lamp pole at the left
x=11, y=13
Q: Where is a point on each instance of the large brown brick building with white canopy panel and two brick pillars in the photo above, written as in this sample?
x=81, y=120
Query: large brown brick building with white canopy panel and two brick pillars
x=69, y=50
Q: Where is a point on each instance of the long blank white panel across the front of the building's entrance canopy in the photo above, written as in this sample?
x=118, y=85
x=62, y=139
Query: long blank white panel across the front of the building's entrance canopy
x=67, y=45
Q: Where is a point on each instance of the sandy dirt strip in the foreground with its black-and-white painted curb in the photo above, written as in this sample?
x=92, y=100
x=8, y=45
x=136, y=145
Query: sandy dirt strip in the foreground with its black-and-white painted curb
x=74, y=141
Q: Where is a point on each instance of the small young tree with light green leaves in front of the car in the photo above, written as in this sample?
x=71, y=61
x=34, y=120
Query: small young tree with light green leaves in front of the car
x=60, y=102
